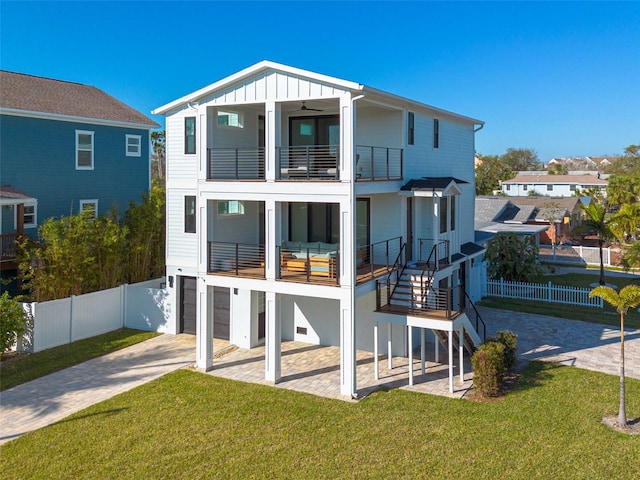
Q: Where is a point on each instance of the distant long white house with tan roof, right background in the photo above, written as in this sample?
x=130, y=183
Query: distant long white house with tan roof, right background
x=552, y=185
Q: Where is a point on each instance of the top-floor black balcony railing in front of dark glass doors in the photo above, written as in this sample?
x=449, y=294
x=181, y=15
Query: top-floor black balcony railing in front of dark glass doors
x=311, y=162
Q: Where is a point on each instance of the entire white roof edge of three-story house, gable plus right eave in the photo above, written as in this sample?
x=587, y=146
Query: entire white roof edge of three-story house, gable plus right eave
x=266, y=66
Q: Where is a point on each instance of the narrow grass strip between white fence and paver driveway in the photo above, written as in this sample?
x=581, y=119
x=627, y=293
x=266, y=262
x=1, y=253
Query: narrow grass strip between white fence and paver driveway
x=30, y=367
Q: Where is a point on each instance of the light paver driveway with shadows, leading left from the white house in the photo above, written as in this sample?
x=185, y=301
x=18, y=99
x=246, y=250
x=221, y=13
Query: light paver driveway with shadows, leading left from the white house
x=48, y=399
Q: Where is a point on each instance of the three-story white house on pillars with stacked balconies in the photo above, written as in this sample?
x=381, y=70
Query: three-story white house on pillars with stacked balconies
x=305, y=207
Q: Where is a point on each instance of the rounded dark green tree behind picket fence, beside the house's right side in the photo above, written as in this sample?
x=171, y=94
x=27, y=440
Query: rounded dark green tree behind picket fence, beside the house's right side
x=512, y=257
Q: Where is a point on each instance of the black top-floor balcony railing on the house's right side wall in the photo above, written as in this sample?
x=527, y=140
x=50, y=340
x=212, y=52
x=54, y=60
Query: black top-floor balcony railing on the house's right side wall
x=378, y=163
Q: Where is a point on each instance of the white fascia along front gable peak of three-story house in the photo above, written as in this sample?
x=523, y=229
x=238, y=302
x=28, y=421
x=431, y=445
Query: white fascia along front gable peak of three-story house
x=249, y=71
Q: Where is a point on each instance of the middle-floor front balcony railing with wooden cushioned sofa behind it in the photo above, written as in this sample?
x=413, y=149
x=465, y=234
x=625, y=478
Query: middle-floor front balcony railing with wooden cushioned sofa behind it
x=308, y=264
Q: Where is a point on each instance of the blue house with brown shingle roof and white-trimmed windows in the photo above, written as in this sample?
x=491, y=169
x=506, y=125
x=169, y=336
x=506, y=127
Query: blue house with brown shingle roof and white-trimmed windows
x=65, y=147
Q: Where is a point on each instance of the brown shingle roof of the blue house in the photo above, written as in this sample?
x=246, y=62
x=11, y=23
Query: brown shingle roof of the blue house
x=28, y=95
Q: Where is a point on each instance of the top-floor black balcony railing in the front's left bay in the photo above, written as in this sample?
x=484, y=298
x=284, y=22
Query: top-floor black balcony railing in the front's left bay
x=235, y=164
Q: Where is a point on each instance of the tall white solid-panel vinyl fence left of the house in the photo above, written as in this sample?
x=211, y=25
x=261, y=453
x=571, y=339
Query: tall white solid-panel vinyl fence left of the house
x=57, y=322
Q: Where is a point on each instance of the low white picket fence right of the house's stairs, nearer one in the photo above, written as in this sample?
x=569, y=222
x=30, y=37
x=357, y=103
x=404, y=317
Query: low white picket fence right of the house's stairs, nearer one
x=543, y=293
